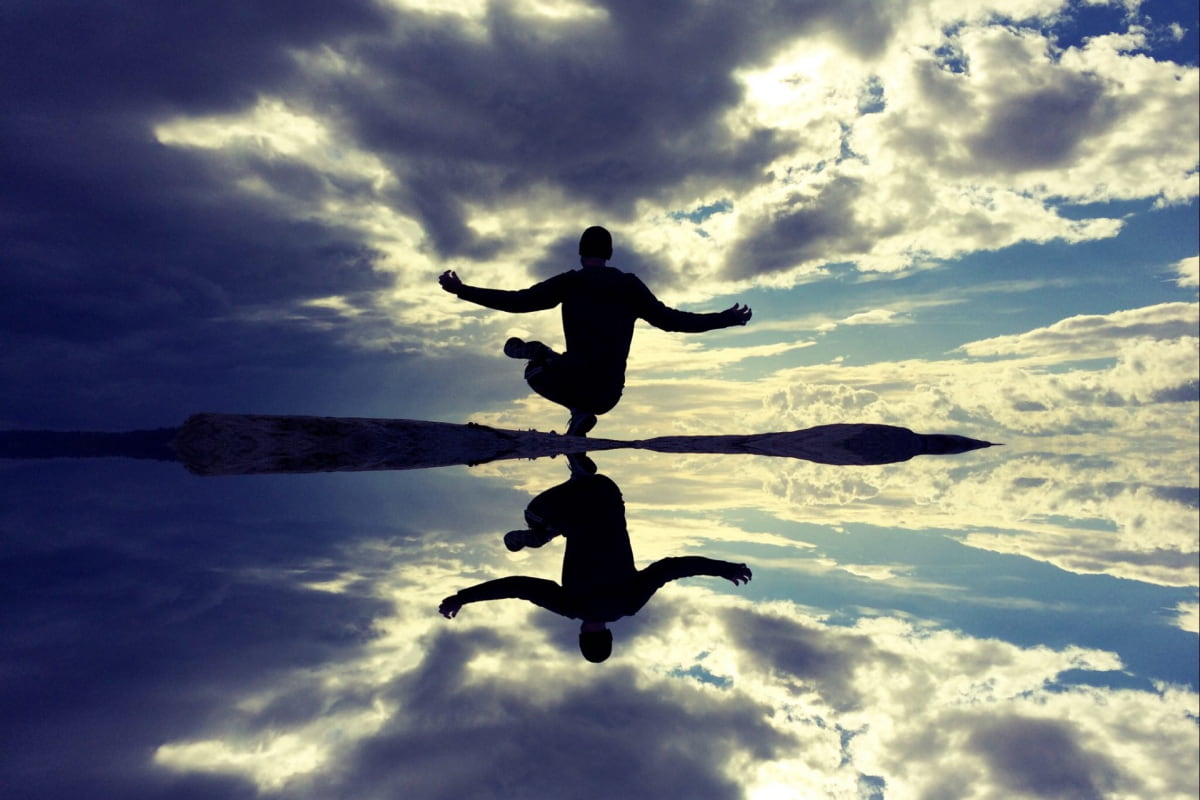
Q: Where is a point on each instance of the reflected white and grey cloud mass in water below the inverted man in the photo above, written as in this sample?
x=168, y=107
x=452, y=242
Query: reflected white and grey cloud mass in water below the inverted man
x=716, y=696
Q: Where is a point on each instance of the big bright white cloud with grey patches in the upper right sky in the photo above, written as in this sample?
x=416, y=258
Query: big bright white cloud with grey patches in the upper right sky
x=980, y=135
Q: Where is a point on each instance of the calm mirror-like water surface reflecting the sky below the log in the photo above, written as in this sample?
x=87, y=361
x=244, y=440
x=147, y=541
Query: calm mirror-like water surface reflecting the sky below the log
x=1007, y=623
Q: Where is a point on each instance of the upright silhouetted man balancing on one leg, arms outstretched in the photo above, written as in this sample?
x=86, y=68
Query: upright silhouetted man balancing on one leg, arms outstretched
x=601, y=305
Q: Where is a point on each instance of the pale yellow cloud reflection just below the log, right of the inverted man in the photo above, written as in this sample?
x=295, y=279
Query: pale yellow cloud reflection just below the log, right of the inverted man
x=1093, y=518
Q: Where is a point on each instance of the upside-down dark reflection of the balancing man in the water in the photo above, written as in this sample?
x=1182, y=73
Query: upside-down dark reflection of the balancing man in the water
x=601, y=582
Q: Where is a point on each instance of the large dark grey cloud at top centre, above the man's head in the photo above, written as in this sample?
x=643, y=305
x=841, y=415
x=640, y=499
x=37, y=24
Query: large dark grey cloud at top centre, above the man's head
x=611, y=111
